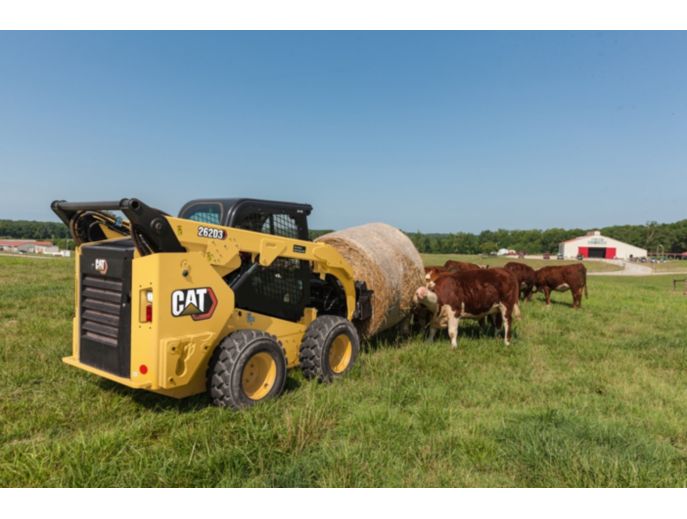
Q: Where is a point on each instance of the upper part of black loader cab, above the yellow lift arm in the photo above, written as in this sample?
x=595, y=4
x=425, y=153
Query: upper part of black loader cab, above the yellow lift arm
x=270, y=217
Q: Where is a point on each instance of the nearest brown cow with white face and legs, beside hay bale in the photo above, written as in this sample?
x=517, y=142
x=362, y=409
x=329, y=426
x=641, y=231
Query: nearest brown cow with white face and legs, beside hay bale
x=470, y=295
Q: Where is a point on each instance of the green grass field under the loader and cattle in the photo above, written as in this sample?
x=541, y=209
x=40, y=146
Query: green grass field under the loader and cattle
x=595, y=397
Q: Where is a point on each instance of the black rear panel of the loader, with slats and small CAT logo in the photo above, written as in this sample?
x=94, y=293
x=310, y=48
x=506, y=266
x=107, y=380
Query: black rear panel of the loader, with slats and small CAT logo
x=105, y=317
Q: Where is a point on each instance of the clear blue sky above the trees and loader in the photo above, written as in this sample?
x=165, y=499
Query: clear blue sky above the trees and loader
x=426, y=131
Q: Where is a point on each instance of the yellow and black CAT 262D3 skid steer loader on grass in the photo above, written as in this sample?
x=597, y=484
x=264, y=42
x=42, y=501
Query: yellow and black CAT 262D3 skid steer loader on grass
x=223, y=298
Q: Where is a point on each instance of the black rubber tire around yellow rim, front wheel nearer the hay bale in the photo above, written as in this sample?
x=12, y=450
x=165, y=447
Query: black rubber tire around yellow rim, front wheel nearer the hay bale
x=317, y=340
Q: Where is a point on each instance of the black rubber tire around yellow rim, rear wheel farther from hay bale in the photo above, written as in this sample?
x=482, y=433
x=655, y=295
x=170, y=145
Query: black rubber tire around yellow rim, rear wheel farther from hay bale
x=228, y=360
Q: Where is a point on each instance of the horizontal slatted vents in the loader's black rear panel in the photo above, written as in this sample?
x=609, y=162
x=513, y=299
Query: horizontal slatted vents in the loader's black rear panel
x=100, y=308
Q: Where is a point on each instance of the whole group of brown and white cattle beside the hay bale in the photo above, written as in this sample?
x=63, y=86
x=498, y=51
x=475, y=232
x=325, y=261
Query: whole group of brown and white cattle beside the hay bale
x=461, y=290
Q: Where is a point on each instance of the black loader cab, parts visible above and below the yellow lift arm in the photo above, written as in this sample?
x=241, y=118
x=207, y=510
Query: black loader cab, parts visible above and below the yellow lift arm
x=281, y=290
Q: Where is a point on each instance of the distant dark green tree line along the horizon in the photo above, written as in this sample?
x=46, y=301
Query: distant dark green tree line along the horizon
x=671, y=236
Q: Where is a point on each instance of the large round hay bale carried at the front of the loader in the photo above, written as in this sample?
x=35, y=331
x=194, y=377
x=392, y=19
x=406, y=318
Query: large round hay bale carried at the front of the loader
x=388, y=262
